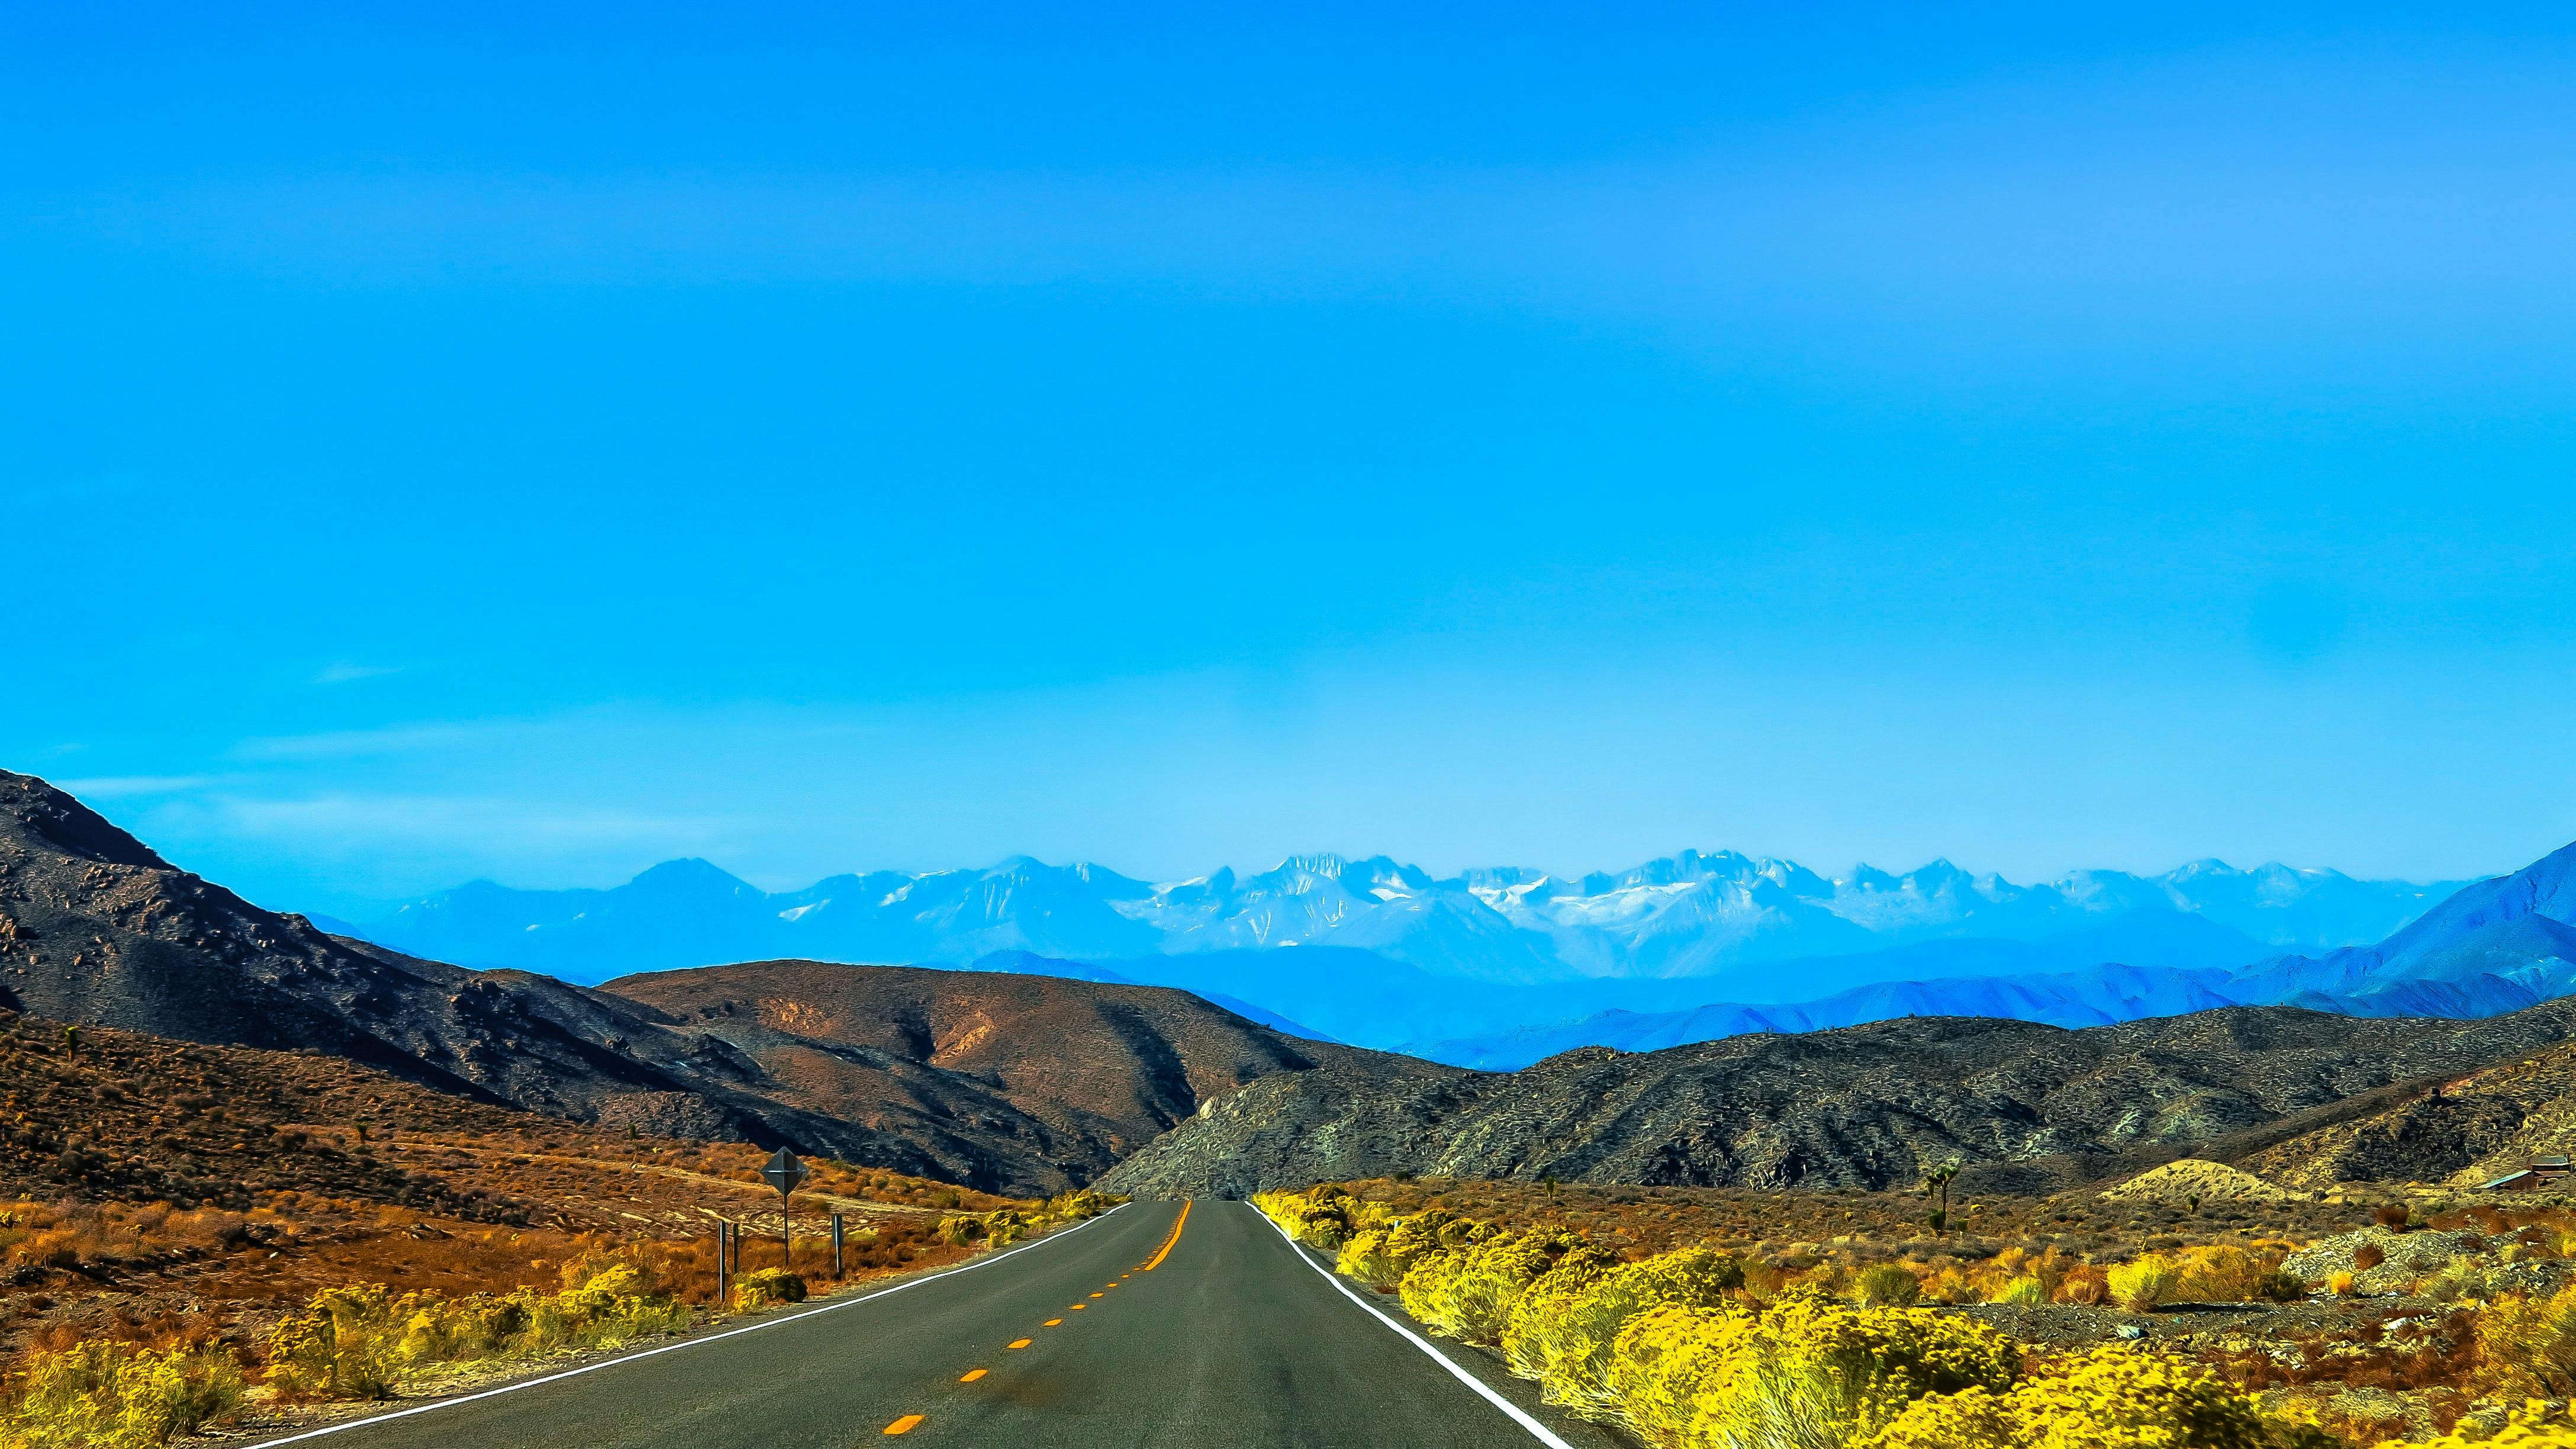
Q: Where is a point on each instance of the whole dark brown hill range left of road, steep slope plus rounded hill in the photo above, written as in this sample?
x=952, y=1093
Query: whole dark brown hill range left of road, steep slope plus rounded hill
x=97, y=929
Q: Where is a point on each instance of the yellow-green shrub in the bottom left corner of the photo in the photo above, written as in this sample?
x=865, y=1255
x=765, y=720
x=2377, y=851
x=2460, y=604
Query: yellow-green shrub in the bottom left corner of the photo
x=117, y=1396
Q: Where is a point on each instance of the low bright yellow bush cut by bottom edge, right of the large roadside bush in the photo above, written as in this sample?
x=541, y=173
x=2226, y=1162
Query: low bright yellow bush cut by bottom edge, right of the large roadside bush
x=2111, y=1399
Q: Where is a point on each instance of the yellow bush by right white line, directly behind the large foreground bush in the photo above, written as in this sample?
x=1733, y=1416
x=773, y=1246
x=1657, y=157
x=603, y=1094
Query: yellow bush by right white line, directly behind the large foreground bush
x=1562, y=1332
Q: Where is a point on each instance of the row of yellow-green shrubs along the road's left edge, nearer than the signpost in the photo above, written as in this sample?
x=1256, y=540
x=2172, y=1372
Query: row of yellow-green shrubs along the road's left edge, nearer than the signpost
x=359, y=1342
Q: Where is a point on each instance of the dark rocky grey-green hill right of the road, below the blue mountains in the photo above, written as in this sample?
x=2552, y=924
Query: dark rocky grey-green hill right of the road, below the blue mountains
x=1856, y=1107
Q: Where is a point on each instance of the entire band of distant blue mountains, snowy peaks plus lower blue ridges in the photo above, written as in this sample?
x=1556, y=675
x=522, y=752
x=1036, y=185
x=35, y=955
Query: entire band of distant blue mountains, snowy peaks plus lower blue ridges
x=1508, y=966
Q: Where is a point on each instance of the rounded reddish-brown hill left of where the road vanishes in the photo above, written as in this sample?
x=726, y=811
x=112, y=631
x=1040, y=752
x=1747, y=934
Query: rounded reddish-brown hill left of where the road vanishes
x=985, y=1069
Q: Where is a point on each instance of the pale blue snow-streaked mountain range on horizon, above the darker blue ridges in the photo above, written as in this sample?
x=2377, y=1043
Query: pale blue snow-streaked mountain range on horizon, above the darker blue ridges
x=1696, y=927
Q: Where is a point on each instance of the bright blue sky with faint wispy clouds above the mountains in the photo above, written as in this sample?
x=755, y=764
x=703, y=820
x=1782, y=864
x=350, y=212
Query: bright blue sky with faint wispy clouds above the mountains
x=545, y=440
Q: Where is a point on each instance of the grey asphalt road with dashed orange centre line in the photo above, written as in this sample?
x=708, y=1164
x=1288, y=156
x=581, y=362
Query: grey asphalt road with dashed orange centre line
x=1155, y=1327
